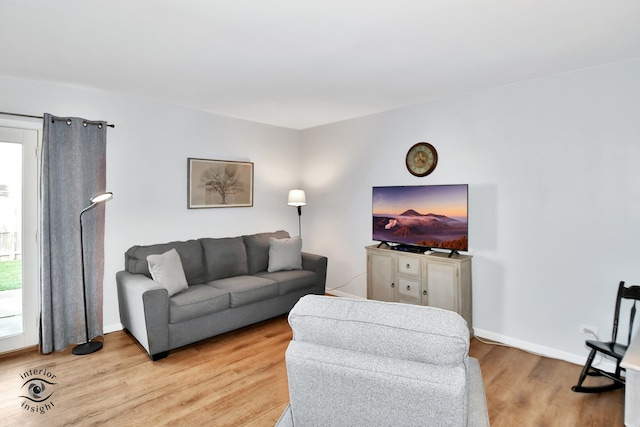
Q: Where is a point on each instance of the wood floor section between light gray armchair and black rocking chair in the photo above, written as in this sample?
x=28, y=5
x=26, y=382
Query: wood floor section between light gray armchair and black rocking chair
x=529, y=390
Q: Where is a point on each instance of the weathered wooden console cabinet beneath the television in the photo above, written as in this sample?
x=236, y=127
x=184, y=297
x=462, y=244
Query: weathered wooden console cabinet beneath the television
x=415, y=278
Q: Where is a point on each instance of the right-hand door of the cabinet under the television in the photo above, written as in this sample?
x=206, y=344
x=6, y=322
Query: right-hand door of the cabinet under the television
x=443, y=286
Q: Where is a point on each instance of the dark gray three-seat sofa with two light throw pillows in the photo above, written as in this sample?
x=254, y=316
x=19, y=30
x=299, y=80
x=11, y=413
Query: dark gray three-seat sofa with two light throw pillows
x=212, y=286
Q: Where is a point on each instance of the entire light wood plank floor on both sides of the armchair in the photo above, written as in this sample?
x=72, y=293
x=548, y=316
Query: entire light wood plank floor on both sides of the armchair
x=239, y=379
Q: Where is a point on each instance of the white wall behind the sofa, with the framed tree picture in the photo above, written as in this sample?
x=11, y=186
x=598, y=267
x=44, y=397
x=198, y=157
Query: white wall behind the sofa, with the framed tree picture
x=147, y=169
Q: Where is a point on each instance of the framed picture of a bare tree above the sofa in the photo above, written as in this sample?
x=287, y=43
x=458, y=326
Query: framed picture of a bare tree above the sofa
x=219, y=184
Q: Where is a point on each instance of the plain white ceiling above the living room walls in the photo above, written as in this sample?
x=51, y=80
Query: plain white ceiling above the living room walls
x=304, y=63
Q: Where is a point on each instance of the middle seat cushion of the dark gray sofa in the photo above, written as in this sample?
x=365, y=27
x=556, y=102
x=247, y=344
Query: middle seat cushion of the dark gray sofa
x=245, y=290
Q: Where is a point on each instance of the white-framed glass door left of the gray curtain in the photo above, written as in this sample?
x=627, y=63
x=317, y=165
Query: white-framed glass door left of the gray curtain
x=18, y=234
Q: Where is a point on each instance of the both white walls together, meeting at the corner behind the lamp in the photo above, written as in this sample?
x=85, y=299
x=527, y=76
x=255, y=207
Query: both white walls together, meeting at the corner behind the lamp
x=553, y=166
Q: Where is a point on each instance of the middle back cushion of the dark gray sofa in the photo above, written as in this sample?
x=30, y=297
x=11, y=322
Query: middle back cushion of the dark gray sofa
x=224, y=257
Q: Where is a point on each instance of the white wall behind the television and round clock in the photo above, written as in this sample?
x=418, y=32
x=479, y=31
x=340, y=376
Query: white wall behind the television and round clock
x=554, y=170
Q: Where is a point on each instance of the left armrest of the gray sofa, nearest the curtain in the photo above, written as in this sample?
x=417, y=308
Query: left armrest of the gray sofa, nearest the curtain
x=144, y=310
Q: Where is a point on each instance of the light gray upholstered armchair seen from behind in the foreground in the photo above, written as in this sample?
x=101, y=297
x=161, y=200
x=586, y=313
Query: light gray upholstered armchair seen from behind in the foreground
x=370, y=363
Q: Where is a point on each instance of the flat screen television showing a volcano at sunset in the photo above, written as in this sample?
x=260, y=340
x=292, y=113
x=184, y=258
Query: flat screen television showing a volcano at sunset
x=422, y=216
